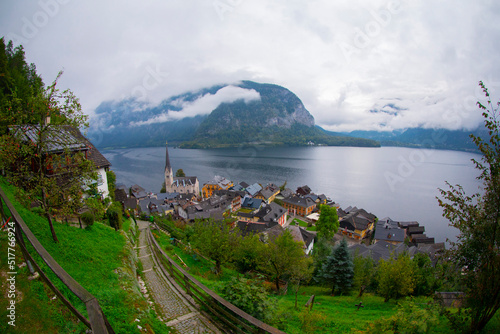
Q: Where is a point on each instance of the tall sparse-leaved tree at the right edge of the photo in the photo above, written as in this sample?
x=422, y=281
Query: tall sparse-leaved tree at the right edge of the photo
x=477, y=217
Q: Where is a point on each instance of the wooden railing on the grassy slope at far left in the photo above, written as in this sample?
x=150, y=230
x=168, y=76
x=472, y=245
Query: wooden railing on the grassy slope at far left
x=97, y=322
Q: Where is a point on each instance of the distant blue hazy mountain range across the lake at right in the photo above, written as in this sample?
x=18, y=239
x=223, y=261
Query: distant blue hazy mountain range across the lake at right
x=425, y=138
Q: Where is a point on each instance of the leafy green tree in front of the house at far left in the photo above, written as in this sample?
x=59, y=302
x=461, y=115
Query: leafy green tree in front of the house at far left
x=50, y=116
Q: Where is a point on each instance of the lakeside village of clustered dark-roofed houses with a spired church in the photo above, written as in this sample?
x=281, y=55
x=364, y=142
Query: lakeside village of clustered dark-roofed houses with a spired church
x=270, y=209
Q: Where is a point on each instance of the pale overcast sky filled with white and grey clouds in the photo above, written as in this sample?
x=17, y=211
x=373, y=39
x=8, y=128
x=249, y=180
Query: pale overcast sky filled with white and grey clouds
x=356, y=65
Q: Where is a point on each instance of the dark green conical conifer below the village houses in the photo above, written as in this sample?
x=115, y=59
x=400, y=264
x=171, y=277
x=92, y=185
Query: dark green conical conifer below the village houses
x=338, y=269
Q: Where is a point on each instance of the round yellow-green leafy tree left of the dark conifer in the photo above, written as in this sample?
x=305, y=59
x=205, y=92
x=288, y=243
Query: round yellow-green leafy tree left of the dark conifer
x=283, y=257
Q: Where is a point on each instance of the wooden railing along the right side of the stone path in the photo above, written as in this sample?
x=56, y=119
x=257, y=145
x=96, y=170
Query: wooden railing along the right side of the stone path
x=234, y=319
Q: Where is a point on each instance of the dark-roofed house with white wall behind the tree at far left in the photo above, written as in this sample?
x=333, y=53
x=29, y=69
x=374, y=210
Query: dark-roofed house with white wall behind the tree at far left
x=61, y=139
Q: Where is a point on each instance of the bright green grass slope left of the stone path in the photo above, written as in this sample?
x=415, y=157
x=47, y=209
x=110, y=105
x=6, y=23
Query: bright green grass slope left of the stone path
x=96, y=259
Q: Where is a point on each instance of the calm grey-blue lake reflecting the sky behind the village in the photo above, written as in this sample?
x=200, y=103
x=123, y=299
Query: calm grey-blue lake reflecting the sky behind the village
x=400, y=183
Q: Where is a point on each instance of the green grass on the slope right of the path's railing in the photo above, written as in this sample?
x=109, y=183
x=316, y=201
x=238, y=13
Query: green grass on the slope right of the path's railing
x=330, y=314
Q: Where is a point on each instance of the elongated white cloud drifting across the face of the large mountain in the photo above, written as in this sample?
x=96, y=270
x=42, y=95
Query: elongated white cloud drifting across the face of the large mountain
x=203, y=105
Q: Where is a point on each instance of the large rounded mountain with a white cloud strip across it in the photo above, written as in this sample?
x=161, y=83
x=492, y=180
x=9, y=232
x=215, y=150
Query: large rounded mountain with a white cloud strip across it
x=220, y=116
